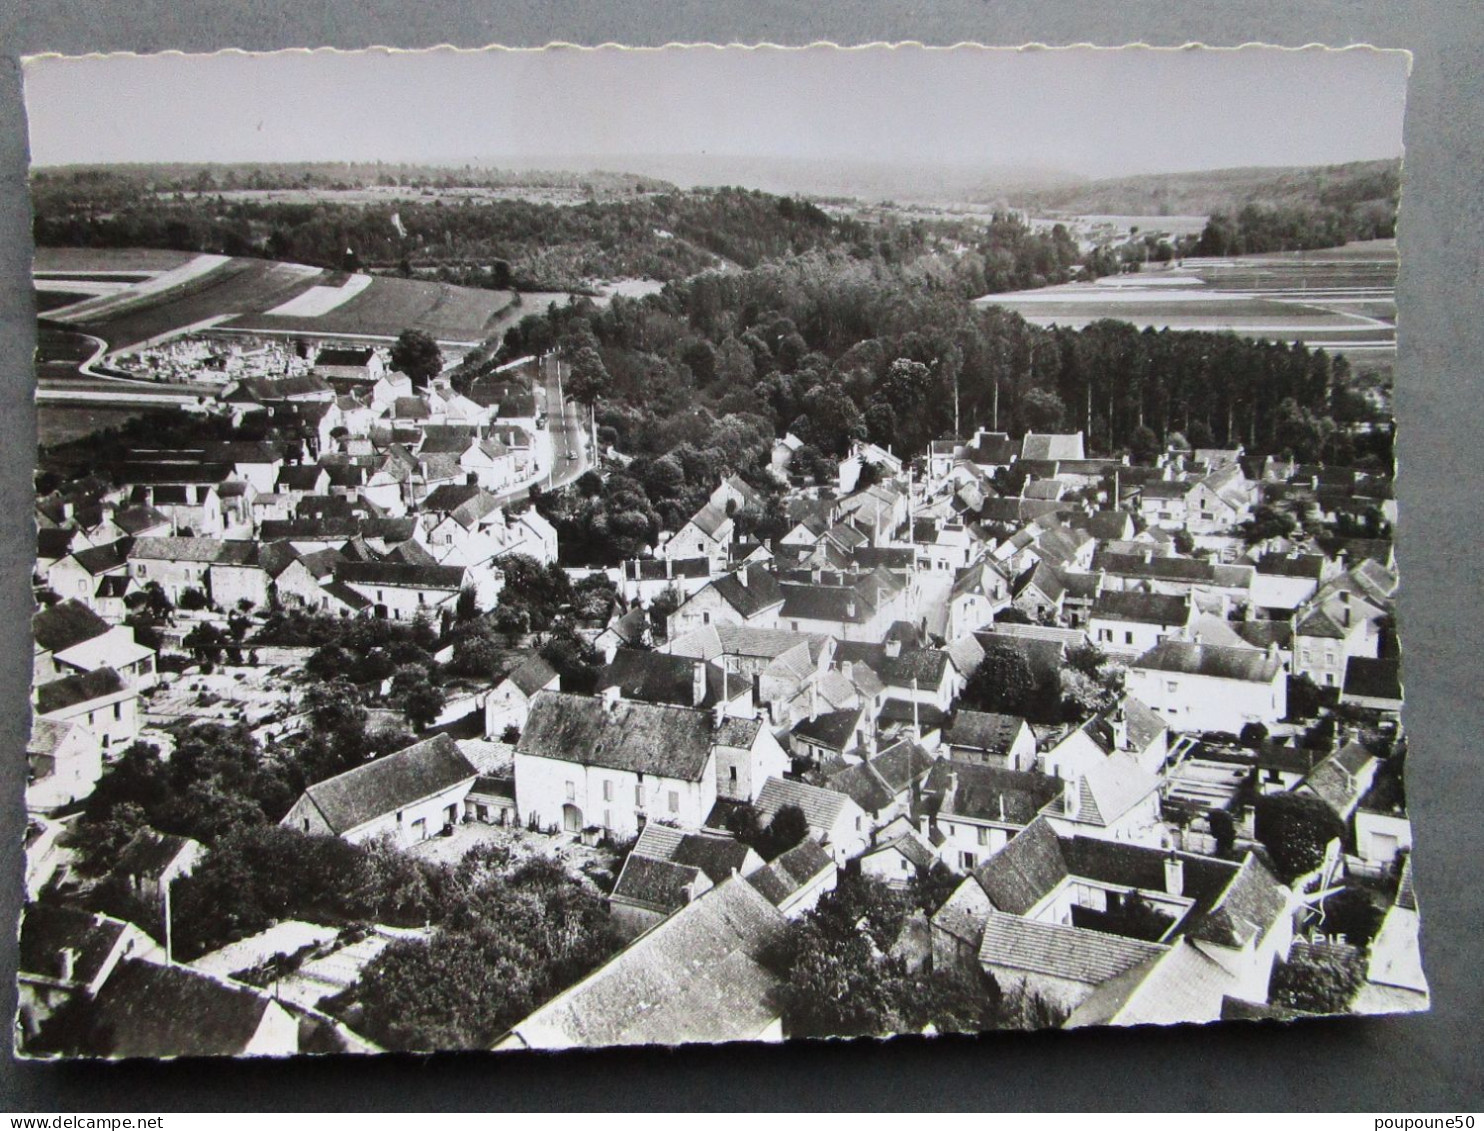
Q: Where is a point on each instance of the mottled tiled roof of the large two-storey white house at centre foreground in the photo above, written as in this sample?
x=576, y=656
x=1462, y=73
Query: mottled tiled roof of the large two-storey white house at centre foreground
x=640, y=738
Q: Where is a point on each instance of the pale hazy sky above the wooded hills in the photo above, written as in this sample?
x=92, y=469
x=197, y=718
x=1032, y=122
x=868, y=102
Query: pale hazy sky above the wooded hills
x=1086, y=112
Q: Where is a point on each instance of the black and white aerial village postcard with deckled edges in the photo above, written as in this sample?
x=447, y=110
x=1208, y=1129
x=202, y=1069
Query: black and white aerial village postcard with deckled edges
x=605, y=547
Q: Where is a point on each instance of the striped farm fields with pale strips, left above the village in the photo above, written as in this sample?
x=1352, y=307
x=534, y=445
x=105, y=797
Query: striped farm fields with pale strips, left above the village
x=240, y=293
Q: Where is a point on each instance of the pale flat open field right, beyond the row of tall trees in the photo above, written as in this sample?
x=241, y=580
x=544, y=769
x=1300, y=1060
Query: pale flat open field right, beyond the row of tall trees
x=1341, y=299
